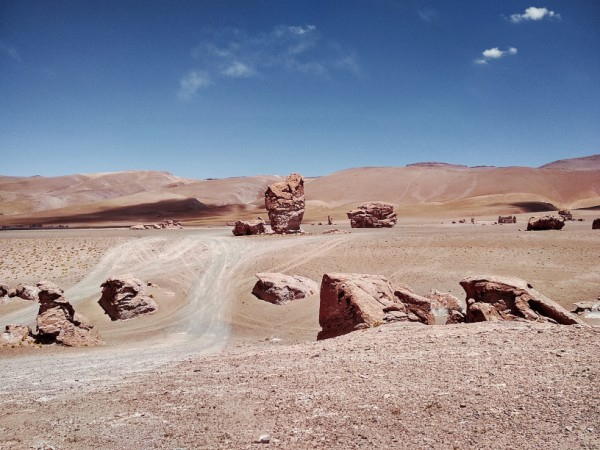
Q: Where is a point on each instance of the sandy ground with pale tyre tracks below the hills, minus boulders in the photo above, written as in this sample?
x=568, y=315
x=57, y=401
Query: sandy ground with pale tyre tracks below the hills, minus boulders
x=215, y=366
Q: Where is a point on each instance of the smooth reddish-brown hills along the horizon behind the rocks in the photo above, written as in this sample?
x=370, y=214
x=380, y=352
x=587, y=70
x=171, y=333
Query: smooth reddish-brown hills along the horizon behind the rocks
x=417, y=190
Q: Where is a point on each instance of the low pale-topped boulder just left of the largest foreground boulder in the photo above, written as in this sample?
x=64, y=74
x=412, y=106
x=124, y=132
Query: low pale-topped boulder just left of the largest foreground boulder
x=279, y=289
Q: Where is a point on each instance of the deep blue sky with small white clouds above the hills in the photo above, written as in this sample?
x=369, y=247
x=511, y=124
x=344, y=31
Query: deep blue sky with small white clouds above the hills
x=225, y=88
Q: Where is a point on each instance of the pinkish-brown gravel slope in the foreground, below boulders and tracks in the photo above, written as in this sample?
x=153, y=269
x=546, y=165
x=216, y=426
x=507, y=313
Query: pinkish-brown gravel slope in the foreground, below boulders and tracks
x=450, y=387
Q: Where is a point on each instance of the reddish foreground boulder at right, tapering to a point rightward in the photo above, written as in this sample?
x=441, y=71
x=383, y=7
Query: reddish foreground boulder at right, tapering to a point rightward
x=504, y=298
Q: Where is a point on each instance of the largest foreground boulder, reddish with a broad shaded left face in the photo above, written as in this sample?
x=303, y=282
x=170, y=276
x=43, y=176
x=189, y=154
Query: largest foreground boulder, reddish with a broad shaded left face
x=351, y=301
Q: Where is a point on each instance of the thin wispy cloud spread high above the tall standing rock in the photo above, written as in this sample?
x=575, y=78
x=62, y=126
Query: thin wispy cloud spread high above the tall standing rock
x=235, y=54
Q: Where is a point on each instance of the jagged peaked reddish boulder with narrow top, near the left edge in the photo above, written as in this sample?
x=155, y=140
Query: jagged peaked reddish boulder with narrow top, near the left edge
x=58, y=322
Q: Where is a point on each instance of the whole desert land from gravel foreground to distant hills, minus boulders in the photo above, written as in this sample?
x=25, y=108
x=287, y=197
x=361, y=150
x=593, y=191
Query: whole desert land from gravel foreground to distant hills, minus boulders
x=216, y=367
